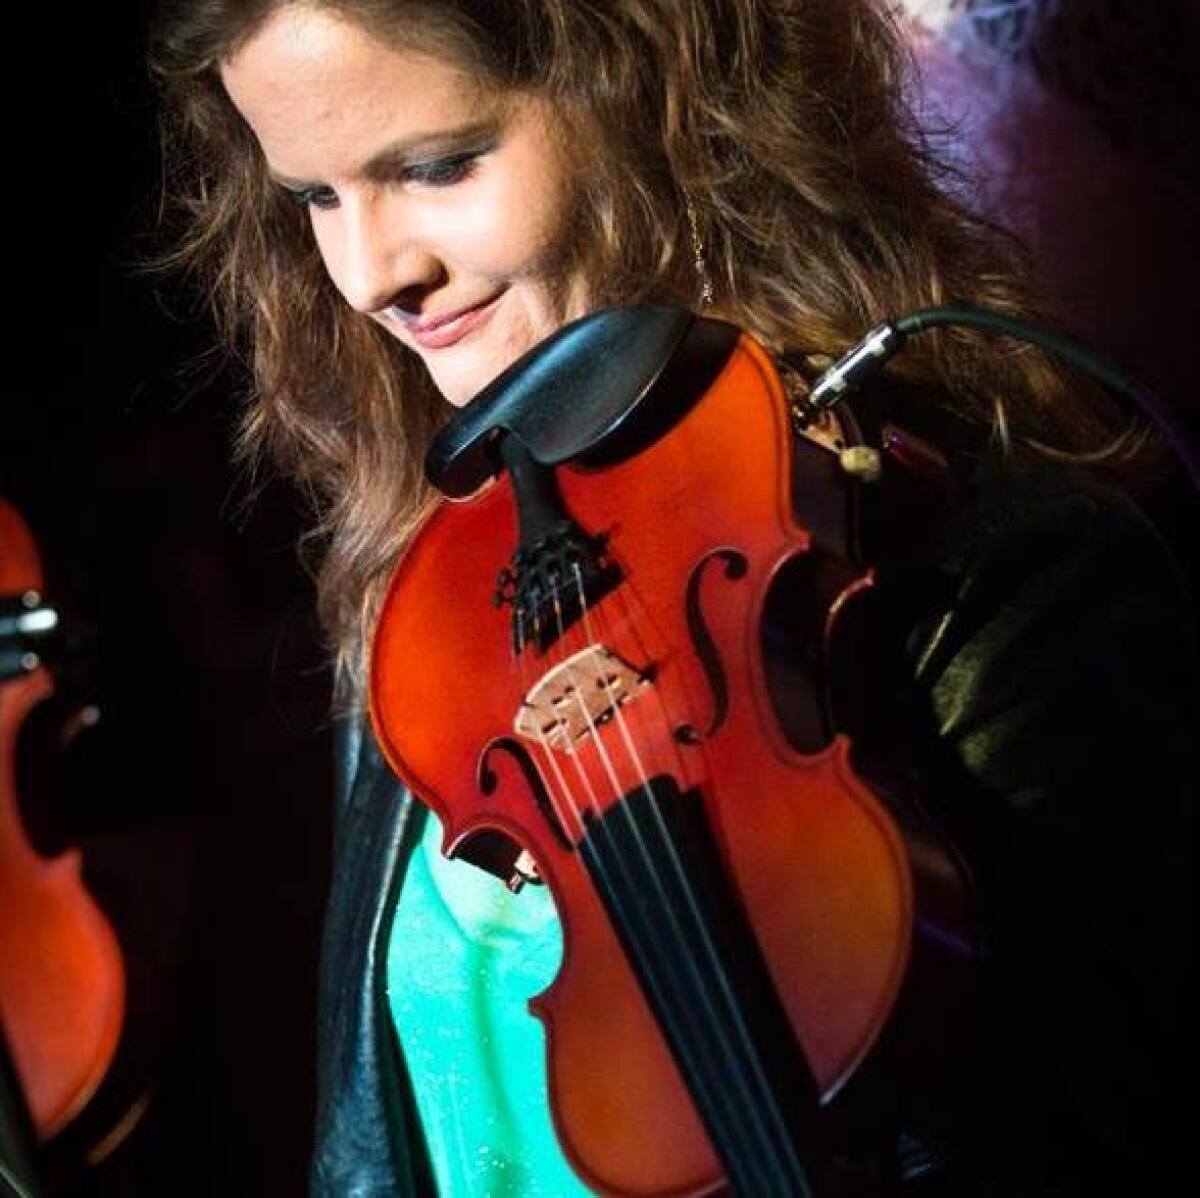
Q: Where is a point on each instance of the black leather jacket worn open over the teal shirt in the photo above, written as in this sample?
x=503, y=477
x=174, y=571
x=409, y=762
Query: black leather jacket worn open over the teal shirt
x=1041, y=682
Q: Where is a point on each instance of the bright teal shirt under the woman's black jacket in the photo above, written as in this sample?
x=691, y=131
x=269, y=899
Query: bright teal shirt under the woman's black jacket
x=464, y=960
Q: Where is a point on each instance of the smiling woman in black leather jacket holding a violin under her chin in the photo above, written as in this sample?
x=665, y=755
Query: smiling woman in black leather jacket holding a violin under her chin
x=391, y=203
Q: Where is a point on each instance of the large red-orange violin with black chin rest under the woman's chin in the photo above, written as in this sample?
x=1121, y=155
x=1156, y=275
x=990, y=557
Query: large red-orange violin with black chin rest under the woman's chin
x=569, y=670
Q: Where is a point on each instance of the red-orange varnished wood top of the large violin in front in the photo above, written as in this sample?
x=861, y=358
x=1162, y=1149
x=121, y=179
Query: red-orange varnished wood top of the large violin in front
x=819, y=866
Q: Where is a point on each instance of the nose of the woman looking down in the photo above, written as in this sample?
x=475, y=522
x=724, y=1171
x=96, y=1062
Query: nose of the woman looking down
x=380, y=261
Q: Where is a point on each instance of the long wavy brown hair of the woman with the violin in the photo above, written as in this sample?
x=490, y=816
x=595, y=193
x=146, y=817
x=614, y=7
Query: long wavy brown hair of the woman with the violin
x=820, y=205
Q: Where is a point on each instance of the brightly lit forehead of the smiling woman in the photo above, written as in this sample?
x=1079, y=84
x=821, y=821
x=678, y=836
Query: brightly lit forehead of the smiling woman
x=322, y=94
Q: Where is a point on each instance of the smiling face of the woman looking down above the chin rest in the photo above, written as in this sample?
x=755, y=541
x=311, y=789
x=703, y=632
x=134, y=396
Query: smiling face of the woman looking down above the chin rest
x=443, y=212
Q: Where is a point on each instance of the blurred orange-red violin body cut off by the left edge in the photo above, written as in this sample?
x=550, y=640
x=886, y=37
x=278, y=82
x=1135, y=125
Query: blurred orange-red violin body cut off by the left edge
x=62, y=975
